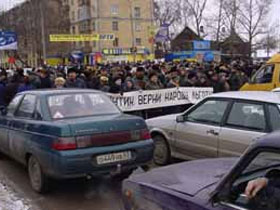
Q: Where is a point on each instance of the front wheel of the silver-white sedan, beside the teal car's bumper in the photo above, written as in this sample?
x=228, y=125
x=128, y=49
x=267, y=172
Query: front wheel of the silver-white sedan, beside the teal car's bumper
x=162, y=151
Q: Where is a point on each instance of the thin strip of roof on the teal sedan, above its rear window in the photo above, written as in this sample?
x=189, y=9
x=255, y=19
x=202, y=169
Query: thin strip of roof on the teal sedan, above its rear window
x=60, y=91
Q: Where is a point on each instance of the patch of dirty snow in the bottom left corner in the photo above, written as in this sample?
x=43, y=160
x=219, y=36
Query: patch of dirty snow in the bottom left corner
x=9, y=200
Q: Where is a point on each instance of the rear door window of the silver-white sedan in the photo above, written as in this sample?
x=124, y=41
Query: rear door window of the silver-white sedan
x=246, y=115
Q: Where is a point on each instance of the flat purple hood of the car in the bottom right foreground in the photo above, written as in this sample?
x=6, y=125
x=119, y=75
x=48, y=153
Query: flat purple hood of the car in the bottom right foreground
x=189, y=177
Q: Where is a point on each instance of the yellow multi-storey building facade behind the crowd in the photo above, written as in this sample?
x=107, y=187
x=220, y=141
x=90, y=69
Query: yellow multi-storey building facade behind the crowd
x=130, y=21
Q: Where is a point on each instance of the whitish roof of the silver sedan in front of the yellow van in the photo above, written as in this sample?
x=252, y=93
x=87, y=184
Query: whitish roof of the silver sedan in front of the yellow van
x=262, y=96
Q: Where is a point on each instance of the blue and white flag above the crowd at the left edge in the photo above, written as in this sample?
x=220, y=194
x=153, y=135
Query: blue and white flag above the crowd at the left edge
x=8, y=40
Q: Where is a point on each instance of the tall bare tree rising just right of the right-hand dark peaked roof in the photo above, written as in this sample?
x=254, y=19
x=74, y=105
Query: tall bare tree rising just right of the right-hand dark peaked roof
x=252, y=18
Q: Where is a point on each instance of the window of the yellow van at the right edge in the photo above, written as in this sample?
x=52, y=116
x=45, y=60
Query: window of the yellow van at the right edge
x=264, y=75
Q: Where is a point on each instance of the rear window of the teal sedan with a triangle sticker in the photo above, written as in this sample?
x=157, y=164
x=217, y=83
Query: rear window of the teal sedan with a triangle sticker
x=80, y=105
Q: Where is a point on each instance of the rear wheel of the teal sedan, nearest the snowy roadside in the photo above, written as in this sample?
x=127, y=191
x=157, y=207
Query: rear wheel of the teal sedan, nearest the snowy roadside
x=38, y=180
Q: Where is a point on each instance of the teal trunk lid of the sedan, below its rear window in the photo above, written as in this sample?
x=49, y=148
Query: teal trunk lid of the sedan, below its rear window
x=104, y=124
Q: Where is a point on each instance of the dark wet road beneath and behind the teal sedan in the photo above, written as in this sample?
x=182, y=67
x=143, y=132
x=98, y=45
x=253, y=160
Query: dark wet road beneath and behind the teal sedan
x=99, y=194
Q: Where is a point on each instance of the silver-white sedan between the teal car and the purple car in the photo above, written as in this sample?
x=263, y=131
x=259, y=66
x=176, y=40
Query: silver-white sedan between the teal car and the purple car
x=220, y=125
